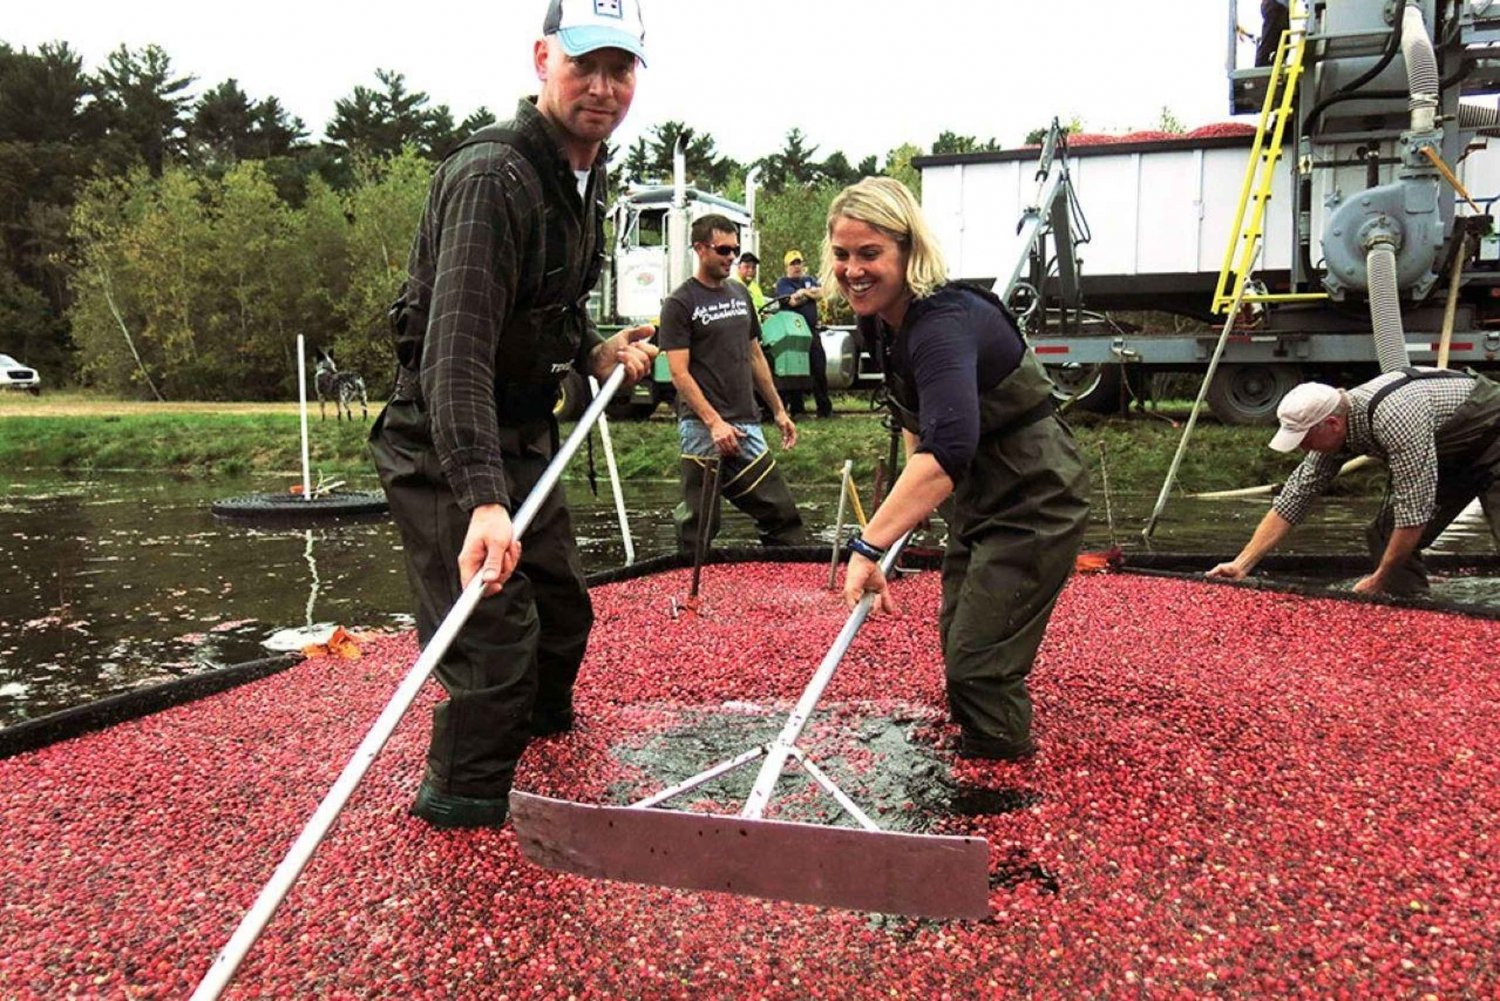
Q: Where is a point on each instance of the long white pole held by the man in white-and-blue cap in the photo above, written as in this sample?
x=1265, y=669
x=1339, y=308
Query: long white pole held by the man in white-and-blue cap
x=292, y=867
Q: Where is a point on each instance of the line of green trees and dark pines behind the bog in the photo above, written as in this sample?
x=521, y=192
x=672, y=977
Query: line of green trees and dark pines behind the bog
x=155, y=242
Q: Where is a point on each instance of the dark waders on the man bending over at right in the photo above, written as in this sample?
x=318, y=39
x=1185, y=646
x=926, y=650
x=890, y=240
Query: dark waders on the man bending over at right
x=1468, y=469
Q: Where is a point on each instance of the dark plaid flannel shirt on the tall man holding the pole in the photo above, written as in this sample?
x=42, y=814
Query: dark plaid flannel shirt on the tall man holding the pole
x=478, y=256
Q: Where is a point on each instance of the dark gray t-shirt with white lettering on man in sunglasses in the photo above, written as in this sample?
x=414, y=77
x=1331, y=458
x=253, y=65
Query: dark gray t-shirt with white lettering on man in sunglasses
x=718, y=326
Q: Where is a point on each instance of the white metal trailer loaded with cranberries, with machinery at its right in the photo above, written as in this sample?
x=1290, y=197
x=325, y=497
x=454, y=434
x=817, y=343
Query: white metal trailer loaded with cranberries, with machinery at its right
x=1160, y=218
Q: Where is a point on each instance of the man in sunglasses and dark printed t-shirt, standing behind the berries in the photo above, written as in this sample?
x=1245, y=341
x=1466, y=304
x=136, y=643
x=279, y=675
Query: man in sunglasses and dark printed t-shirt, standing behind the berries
x=712, y=338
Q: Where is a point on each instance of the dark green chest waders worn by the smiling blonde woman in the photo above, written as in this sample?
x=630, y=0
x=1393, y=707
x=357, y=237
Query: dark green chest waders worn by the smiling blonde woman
x=1019, y=514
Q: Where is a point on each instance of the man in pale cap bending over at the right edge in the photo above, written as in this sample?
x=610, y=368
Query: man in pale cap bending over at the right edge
x=1438, y=431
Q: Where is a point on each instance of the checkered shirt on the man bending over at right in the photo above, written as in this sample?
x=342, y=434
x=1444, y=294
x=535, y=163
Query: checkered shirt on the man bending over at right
x=1405, y=436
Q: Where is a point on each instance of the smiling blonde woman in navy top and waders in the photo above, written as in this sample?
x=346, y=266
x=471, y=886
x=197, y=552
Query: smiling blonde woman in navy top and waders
x=976, y=410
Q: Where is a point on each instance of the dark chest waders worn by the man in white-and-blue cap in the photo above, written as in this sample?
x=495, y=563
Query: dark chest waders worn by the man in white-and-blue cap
x=509, y=673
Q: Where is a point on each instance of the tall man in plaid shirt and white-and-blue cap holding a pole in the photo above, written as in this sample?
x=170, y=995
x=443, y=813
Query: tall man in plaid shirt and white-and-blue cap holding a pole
x=491, y=319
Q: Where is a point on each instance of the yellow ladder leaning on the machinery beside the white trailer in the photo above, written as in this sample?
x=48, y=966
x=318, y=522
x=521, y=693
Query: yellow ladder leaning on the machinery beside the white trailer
x=1250, y=217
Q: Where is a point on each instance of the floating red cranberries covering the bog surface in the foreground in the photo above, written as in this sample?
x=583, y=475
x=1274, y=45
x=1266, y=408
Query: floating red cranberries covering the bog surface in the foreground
x=1240, y=793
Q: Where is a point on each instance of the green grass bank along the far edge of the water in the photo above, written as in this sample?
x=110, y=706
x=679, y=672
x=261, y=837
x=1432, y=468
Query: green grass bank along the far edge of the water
x=1133, y=454
